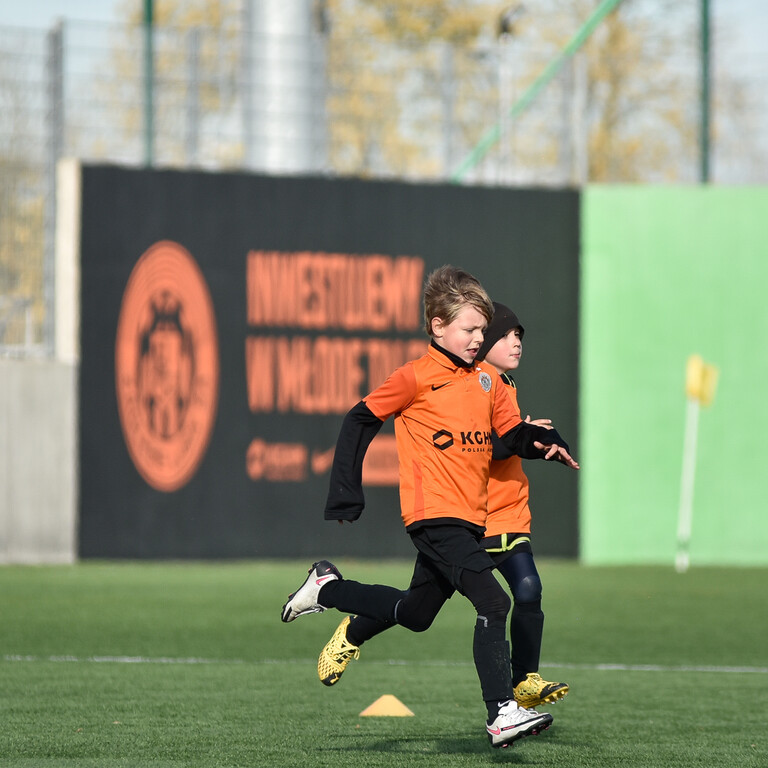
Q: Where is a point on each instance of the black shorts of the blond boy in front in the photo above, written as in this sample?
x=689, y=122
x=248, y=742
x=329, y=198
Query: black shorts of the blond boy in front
x=445, y=551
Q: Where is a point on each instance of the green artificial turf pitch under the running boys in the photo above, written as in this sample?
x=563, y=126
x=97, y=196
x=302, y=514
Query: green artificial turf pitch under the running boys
x=107, y=665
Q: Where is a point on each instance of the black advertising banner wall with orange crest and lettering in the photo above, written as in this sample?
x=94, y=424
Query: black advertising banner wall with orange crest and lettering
x=229, y=321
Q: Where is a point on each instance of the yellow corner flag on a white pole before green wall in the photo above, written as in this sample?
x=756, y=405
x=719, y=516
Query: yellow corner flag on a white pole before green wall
x=700, y=383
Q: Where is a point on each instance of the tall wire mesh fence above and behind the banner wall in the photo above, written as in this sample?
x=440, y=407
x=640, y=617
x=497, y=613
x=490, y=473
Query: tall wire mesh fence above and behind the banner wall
x=318, y=103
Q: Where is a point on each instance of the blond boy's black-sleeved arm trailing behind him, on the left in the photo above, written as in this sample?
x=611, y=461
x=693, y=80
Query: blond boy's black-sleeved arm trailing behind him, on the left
x=345, y=494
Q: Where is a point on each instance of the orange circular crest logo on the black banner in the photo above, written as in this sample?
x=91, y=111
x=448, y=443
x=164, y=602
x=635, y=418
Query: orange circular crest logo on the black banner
x=167, y=366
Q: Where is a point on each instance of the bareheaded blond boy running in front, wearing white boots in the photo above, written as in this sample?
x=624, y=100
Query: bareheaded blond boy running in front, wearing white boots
x=446, y=405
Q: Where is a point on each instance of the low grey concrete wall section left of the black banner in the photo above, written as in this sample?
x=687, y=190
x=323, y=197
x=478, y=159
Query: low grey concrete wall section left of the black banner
x=37, y=462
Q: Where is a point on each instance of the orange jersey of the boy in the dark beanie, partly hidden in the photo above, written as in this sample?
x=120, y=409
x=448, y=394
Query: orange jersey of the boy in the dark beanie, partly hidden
x=508, y=492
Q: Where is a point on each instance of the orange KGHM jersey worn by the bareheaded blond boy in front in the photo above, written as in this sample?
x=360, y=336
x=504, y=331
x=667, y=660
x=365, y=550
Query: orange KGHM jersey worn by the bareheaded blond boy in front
x=444, y=414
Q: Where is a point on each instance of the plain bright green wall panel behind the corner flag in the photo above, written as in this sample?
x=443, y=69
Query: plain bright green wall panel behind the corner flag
x=668, y=272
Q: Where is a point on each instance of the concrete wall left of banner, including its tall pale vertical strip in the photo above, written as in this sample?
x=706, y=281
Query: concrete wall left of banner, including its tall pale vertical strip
x=38, y=415
